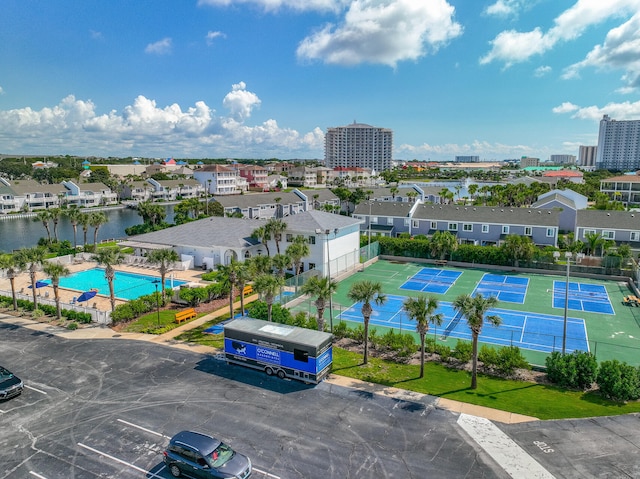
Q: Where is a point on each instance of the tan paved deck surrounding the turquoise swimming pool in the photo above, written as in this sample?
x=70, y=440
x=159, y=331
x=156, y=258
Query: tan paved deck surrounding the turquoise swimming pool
x=100, y=302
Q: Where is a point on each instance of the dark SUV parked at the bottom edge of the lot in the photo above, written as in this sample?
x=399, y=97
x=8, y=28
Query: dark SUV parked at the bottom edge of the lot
x=197, y=455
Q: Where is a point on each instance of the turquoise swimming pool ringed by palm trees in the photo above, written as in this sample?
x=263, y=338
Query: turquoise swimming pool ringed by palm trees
x=126, y=285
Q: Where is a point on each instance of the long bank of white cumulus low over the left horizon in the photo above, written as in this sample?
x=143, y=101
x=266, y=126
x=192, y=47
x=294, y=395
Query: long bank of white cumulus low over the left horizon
x=146, y=129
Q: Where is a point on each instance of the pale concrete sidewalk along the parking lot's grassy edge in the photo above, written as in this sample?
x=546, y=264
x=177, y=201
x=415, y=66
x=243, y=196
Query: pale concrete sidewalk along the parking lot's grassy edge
x=103, y=332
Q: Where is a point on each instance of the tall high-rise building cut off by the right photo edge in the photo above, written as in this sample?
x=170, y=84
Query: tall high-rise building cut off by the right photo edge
x=618, y=145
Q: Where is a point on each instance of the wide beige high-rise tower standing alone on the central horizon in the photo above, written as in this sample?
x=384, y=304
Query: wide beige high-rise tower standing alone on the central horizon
x=359, y=146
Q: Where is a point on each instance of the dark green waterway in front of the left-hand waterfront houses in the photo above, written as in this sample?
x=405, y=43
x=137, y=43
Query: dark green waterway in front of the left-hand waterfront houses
x=25, y=232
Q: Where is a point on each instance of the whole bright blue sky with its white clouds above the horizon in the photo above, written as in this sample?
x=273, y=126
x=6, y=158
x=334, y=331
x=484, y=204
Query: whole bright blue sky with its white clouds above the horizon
x=266, y=78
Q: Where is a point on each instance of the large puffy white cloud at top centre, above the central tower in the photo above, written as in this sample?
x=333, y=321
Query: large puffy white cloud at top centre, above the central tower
x=383, y=31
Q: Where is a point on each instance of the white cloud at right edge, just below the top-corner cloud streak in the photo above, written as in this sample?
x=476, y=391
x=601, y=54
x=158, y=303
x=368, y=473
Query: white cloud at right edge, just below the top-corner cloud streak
x=620, y=51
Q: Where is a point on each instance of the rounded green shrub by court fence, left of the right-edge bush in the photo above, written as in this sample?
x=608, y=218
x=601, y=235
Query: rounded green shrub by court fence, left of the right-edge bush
x=577, y=370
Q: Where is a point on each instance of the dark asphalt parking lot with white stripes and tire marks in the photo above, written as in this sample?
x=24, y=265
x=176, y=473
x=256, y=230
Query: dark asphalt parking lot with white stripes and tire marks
x=106, y=408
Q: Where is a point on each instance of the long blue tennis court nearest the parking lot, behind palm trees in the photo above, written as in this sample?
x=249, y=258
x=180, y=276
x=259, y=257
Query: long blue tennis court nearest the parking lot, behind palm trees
x=533, y=331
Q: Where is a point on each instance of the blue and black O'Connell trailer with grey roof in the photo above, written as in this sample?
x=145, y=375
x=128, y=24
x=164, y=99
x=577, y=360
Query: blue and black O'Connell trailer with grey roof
x=283, y=350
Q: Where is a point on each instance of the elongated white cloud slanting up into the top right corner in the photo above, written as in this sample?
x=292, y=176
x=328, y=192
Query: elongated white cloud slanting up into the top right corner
x=511, y=46
